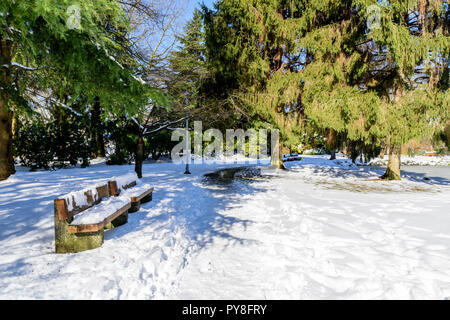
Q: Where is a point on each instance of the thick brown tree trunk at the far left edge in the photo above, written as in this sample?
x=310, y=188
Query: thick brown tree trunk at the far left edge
x=6, y=114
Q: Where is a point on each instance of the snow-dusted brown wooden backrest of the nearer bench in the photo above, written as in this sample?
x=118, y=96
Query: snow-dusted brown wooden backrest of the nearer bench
x=77, y=202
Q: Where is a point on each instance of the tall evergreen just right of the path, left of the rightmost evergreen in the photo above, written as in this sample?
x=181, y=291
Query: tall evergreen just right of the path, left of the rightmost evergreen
x=252, y=49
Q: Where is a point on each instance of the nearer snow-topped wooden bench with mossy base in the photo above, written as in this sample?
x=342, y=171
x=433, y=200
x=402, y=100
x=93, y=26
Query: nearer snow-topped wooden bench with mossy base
x=81, y=217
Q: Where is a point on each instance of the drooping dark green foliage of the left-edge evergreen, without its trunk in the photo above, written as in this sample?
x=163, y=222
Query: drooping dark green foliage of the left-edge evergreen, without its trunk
x=81, y=59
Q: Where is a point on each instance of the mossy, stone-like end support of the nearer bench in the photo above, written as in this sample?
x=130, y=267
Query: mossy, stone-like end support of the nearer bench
x=66, y=242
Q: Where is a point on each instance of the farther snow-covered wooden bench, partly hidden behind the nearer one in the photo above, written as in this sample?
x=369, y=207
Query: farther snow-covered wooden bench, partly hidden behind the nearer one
x=137, y=193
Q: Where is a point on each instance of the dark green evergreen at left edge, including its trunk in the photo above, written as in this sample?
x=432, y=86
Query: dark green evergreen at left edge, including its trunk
x=46, y=44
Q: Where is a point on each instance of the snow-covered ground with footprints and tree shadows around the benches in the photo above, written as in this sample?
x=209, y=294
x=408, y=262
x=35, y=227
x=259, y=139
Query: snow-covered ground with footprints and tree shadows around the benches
x=321, y=230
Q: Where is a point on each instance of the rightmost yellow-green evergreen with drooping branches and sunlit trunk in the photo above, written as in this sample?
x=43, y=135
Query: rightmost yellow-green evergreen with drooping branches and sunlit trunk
x=375, y=84
